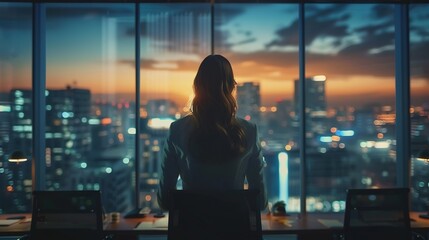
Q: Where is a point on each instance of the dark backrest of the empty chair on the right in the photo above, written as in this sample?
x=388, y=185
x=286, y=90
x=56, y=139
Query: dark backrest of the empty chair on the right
x=377, y=214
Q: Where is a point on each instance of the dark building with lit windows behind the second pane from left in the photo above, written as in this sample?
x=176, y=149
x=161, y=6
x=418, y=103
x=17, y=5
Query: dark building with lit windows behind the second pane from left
x=68, y=134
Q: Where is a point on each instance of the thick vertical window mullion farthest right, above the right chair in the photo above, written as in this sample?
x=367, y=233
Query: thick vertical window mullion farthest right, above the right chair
x=402, y=76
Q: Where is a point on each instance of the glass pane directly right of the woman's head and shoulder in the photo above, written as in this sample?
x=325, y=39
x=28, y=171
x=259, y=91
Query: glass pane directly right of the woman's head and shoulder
x=263, y=50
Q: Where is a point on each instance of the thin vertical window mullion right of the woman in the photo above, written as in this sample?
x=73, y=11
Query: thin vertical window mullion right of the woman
x=301, y=108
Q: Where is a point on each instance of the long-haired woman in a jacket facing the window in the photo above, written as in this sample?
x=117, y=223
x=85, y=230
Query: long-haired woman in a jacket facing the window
x=211, y=149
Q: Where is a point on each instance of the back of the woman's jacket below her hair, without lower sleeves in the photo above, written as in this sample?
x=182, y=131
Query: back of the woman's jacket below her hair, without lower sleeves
x=197, y=173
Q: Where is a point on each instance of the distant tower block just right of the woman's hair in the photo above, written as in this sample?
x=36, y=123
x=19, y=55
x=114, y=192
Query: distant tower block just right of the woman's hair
x=249, y=101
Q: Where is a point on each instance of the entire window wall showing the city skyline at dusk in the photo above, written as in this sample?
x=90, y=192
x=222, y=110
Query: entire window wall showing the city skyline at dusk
x=338, y=90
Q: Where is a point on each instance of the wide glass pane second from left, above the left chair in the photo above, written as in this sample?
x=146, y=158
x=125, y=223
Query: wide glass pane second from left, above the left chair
x=89, y=100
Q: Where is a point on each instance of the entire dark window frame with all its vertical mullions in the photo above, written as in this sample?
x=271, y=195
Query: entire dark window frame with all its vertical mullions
x=402, y=84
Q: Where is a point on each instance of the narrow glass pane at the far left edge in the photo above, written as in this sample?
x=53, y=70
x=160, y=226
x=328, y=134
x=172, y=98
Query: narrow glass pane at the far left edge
x=15, y=106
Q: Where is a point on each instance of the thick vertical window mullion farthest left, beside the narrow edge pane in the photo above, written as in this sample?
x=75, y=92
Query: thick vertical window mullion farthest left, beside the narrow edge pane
x=39, y=101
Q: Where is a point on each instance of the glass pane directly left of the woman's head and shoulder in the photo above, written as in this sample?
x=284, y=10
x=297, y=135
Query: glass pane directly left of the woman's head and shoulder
x=174, y=40
